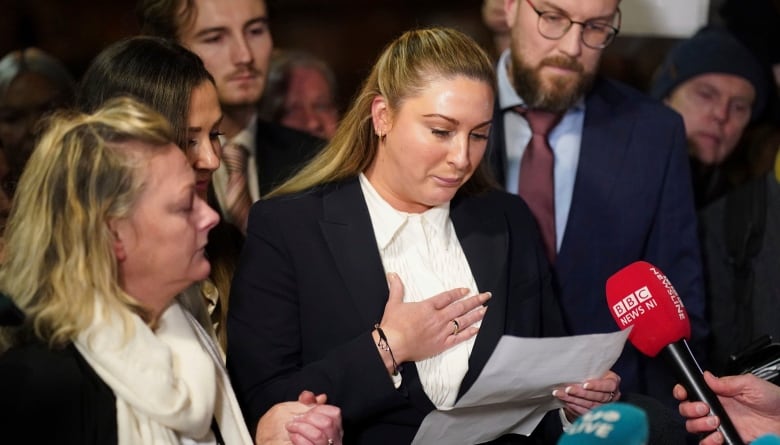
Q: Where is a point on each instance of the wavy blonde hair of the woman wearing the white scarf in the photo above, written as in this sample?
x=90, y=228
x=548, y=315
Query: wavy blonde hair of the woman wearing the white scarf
x=59, y=253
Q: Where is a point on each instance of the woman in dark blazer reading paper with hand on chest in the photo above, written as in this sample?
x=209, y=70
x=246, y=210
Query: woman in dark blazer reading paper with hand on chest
x=312, y=306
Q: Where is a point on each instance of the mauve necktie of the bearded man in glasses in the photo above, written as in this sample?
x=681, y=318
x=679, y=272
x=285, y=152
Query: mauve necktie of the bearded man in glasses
x=537, y=185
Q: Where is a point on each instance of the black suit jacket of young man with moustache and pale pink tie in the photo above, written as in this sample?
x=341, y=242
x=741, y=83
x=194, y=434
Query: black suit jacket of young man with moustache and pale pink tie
x=280, y=152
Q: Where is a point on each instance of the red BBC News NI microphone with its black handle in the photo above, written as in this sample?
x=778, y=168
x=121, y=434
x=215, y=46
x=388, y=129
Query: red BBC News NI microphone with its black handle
x=640, y=295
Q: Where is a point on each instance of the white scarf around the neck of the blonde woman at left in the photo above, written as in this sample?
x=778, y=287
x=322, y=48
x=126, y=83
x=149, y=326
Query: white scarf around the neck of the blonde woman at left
x=168, y=383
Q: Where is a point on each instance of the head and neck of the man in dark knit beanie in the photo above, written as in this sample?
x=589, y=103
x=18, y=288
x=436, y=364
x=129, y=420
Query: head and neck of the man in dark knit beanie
x=718, y=86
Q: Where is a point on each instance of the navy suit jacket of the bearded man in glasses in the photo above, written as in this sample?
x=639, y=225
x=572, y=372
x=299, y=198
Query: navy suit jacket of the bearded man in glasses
x=632, y=201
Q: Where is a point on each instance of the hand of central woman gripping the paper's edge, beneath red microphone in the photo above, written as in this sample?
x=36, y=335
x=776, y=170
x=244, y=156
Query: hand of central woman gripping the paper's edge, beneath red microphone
x=582, y=397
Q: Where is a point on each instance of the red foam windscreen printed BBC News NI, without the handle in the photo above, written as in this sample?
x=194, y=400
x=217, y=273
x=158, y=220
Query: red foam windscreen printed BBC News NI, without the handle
x=640, y=295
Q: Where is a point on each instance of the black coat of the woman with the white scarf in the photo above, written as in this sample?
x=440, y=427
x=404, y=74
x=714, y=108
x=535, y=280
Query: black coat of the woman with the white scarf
x=53, y=396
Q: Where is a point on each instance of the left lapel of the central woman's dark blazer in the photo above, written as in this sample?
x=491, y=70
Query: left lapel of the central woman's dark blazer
x=346, y=222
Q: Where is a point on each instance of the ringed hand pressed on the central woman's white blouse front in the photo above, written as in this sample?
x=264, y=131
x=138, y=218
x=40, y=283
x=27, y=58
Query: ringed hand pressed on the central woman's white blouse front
x=416, y=331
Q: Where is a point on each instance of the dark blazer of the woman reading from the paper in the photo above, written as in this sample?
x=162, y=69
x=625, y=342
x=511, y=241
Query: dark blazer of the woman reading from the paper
x=310, y=286
